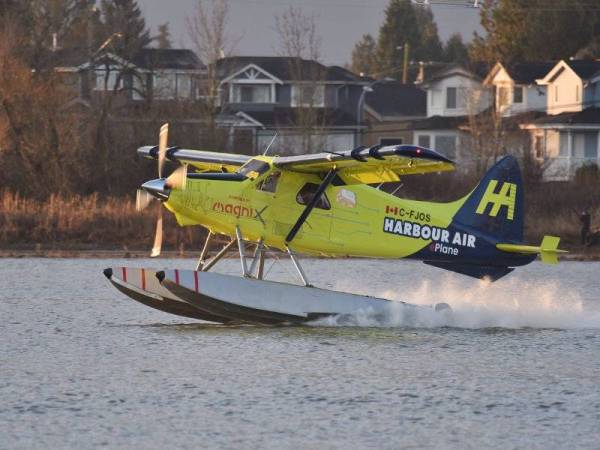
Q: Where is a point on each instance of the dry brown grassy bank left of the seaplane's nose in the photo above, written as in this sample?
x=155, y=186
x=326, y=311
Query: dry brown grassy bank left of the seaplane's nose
x=86, y=223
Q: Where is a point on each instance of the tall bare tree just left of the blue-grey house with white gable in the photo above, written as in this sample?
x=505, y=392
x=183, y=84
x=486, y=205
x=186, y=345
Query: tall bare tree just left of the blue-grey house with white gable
x=207, y=29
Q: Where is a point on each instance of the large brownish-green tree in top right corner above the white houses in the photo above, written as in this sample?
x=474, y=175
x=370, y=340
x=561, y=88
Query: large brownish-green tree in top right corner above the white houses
x=530, y=30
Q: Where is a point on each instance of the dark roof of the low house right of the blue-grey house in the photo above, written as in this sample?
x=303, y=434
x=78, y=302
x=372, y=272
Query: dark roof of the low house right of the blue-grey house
x=393, y=99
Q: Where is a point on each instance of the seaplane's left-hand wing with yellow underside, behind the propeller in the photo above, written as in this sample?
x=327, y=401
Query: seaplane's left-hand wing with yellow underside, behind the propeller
x=204, y=161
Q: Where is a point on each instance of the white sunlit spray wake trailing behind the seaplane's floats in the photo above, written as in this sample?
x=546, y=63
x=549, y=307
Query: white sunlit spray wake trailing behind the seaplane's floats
x=512, y=303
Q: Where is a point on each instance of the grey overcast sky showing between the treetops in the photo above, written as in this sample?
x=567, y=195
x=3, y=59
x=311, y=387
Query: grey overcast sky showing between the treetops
x=340, y=22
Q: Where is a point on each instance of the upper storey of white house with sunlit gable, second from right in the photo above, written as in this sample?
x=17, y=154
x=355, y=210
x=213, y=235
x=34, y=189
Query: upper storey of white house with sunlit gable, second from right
x=515, y=88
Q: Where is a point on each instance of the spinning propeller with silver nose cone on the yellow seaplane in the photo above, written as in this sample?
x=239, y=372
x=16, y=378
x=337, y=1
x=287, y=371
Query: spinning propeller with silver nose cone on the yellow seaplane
x=160, y=188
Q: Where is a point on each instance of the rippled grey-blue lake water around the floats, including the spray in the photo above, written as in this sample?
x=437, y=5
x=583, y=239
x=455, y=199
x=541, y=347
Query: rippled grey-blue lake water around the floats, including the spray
x=517, y=365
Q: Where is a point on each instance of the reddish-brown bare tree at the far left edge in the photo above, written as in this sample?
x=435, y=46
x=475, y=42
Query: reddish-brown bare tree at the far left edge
x=39, y=140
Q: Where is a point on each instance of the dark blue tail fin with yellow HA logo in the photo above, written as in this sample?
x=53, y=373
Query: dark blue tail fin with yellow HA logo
x=495, y=207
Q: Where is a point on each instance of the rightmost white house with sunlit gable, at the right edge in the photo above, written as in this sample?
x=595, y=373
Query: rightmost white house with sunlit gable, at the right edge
x=566, y=138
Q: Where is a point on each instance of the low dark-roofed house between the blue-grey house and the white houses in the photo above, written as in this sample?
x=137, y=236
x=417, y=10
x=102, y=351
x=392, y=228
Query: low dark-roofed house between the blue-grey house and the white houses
x=390, y=107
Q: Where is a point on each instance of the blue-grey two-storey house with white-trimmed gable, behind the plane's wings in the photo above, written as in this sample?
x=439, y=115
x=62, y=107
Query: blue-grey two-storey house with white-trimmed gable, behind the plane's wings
x=309, y=106
